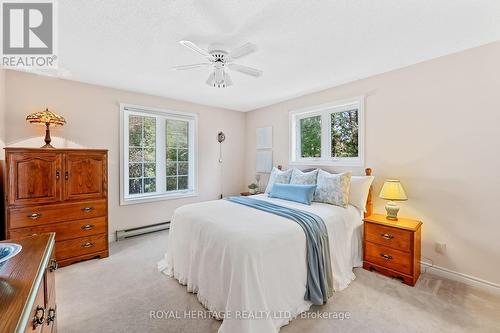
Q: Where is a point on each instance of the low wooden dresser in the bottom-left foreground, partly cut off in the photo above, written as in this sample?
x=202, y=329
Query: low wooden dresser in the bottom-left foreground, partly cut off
x=27, y=287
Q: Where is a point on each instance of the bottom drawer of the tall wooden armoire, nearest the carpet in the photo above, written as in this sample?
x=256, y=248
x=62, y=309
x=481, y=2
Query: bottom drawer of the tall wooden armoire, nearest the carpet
x=80, y=246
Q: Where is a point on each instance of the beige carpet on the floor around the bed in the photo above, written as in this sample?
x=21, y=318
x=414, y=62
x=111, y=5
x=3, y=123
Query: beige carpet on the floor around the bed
x=117, y=294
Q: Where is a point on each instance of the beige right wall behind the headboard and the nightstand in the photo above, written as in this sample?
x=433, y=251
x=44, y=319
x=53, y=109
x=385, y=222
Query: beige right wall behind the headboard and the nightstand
x=435, y=126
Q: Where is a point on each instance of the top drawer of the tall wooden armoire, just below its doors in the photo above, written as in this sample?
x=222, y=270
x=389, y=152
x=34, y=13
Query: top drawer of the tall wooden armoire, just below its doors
x=39, y=215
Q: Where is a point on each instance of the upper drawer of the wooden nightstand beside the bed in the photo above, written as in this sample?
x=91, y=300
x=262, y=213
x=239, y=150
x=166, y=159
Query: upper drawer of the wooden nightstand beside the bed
x=392, y=237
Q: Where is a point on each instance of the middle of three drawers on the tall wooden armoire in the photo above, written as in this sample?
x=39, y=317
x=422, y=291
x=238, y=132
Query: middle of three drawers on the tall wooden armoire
x=64, y=230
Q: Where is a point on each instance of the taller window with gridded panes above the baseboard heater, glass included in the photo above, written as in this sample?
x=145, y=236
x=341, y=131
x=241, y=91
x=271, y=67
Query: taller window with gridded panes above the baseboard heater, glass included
x=158, y=154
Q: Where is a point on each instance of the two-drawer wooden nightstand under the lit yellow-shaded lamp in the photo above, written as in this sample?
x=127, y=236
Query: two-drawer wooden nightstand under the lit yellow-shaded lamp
x=392, y=248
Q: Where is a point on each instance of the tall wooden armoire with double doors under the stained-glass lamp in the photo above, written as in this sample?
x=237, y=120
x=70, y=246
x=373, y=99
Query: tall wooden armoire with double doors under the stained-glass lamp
x=62, y=191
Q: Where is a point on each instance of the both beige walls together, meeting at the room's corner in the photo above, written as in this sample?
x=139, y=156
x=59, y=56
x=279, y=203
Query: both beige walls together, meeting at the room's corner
x=433, y=125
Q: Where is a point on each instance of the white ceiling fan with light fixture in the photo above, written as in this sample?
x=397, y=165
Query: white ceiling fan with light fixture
x=219, y=61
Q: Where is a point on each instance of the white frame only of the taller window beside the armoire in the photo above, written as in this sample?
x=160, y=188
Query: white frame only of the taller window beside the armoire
x=161, y=193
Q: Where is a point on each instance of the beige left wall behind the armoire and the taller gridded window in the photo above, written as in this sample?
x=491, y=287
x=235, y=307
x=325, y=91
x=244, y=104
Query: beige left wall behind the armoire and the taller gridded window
x=92, y=114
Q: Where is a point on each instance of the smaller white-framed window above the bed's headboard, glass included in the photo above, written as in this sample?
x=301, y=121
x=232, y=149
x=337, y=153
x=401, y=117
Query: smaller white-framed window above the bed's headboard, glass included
x=331, y=134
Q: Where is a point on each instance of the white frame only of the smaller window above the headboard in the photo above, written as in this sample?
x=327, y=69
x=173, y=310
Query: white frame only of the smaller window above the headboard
x=325, y=110
